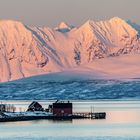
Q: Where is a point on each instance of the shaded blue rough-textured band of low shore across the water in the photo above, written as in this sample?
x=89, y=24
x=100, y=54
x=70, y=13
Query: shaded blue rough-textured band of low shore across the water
x=71, y=90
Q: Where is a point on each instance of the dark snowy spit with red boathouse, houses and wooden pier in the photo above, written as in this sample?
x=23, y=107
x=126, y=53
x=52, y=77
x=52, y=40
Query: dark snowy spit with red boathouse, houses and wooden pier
x=56, y=110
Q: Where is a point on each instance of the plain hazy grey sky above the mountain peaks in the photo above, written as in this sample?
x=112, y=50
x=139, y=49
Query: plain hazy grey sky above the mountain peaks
x=51, y=12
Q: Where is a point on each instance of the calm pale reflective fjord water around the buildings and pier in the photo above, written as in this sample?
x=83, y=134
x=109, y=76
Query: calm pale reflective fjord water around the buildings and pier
x=122, y=123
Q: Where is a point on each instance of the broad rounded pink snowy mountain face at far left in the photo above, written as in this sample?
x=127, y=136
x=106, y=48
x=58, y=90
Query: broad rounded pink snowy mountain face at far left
x=22, y=52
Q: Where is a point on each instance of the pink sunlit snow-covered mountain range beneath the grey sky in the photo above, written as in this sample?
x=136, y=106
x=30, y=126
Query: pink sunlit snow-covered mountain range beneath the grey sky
x=26, y=51
